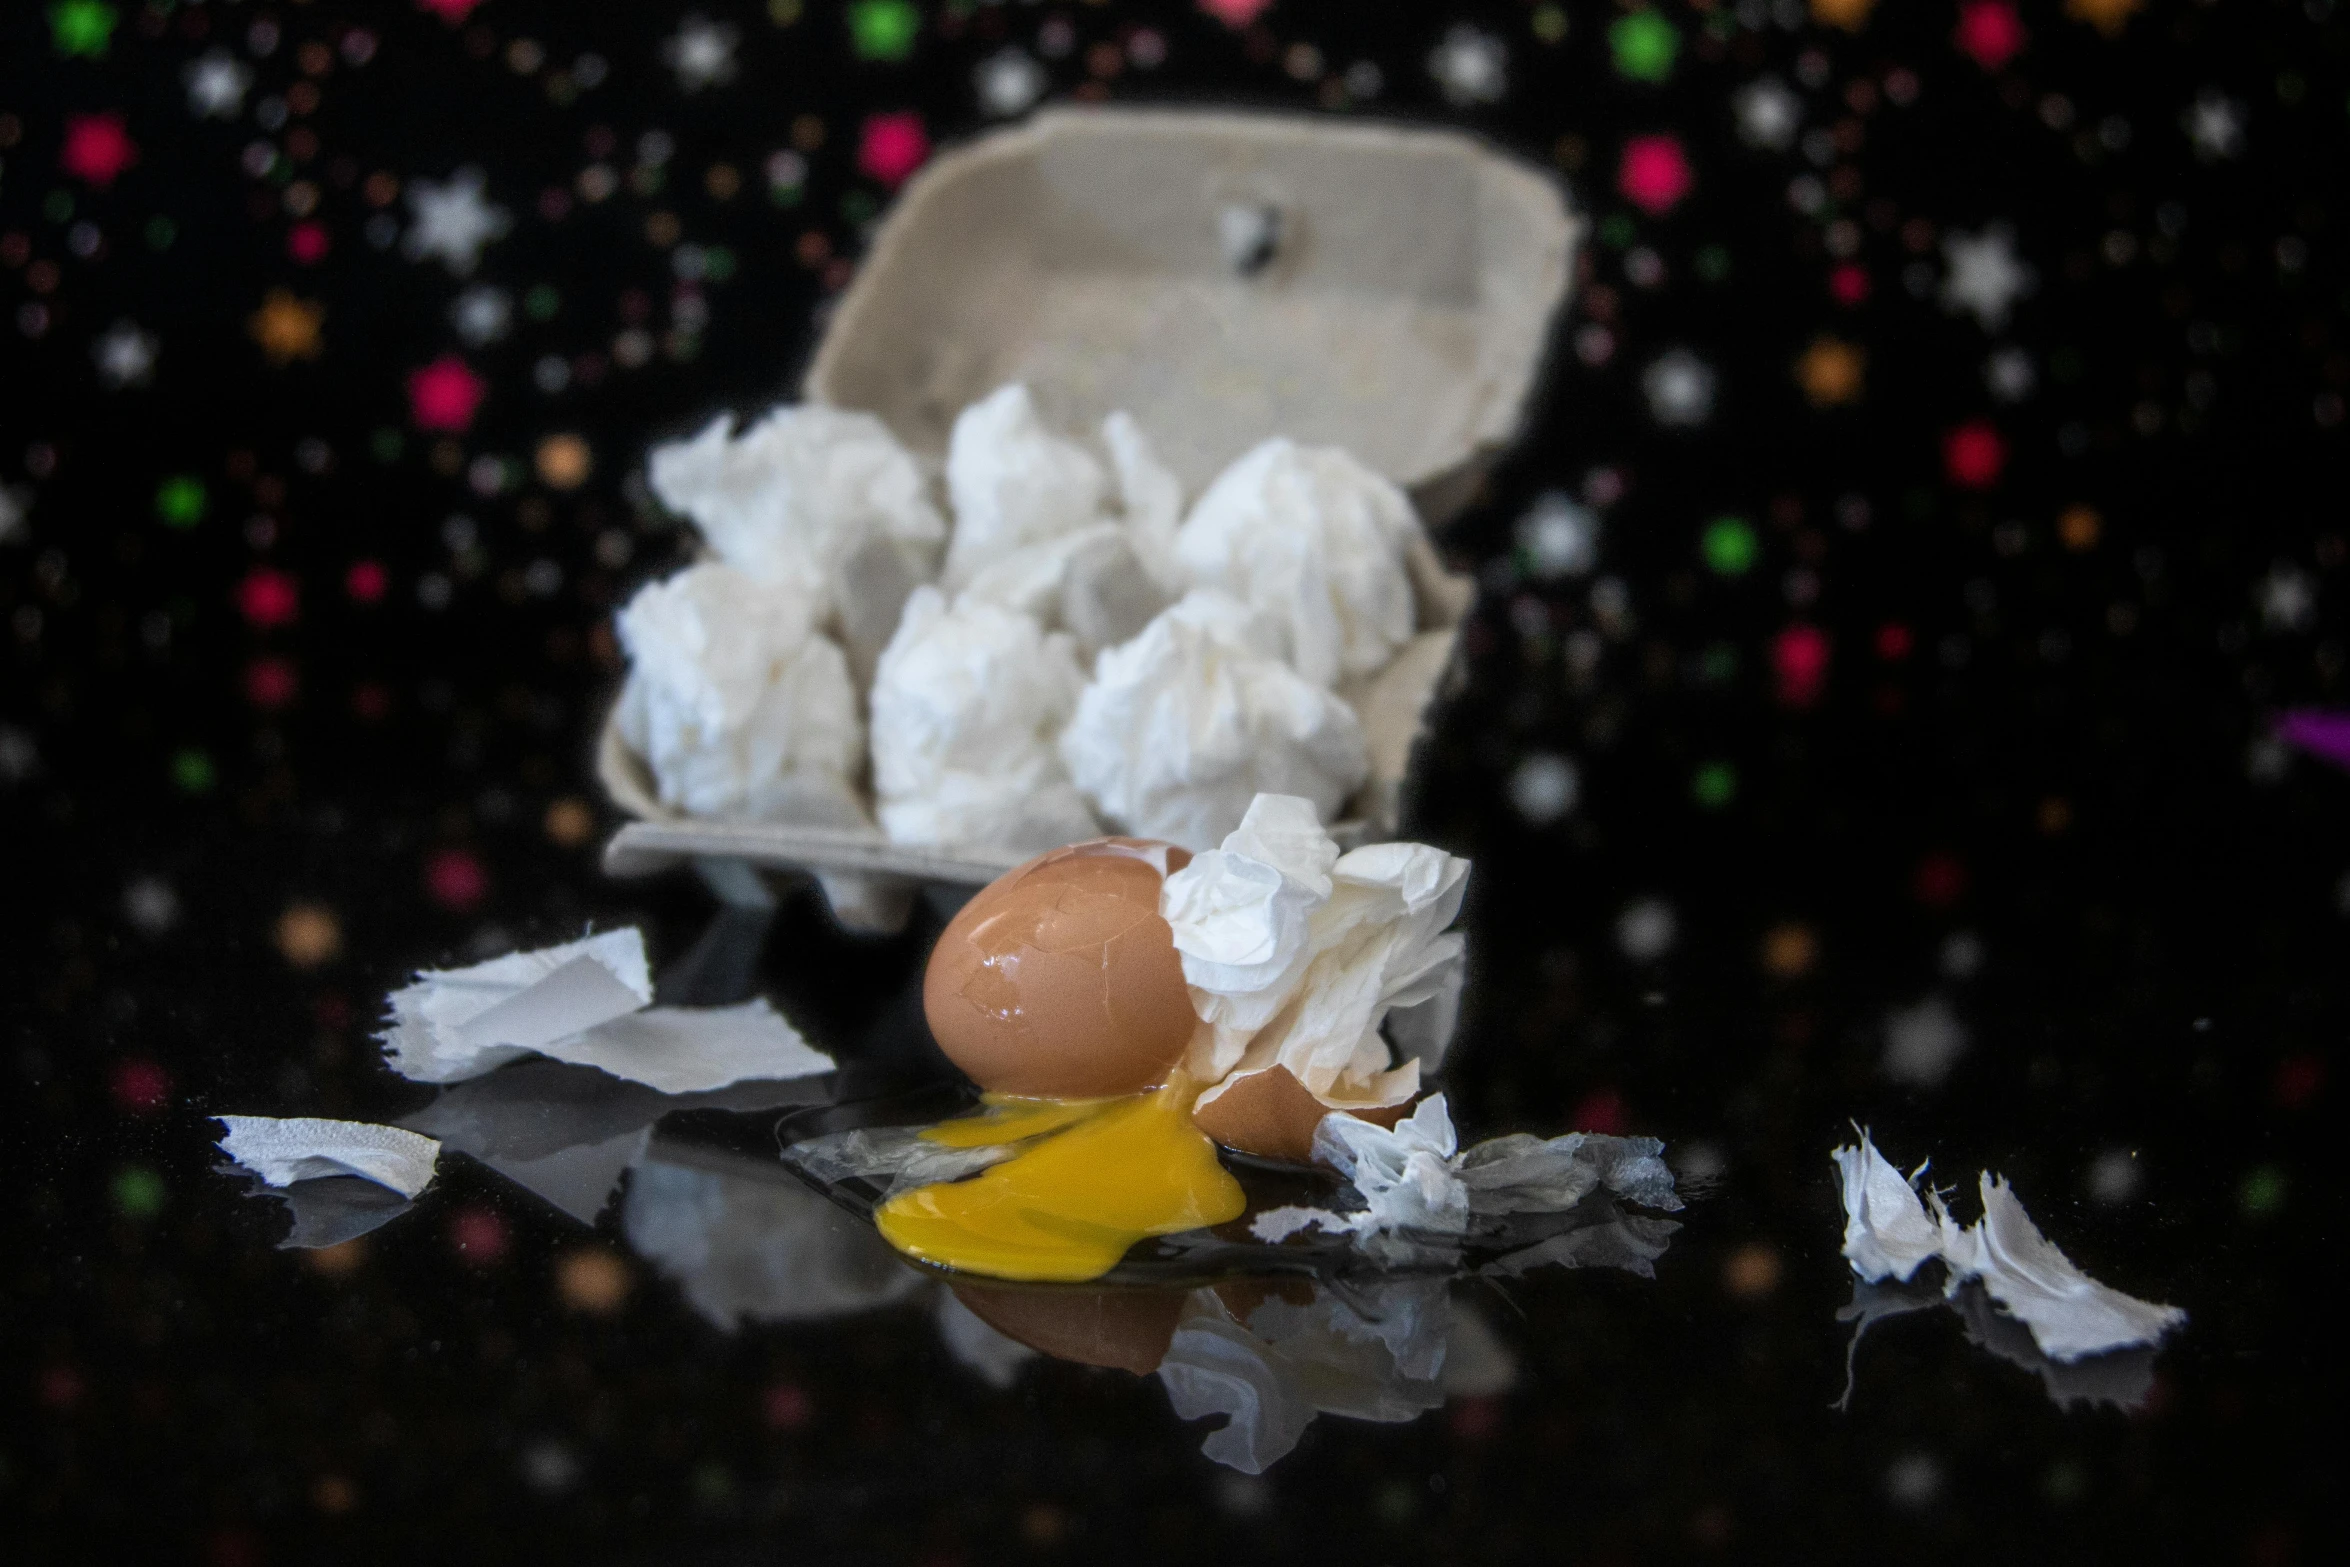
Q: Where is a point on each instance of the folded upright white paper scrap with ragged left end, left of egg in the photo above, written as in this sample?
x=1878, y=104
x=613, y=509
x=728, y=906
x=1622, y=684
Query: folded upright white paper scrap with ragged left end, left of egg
x=459, y=1023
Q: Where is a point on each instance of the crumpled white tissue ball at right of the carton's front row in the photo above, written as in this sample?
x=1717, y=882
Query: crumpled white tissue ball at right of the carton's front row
x=1186, y=725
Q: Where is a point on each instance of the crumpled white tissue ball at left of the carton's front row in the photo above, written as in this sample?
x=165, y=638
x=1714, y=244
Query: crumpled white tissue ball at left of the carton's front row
x=739, y=704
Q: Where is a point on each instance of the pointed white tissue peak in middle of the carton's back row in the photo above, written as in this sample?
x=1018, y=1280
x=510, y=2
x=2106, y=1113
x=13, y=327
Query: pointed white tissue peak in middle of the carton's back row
x=1014, y=483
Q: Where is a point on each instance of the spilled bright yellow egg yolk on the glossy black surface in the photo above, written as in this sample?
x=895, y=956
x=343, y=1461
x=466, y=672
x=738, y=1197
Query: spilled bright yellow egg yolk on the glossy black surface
x=1103, y=1176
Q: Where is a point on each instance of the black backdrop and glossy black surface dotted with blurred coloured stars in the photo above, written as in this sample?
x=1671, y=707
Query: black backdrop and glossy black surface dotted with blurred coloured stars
x=231, y=828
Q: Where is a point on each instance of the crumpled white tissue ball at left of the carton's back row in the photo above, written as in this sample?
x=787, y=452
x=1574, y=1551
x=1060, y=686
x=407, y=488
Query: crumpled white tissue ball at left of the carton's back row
x=800, y=495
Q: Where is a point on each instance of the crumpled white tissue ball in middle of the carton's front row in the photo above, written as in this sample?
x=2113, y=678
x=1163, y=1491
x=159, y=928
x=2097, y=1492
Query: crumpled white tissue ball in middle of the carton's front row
x=969, y=704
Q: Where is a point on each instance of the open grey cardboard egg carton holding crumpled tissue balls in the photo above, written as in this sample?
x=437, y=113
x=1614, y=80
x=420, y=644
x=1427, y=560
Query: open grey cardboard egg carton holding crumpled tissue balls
x=1223, y=278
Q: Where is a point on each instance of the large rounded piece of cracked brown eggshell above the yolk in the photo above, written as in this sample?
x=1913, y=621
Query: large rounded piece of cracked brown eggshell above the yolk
x=1061, y=981
